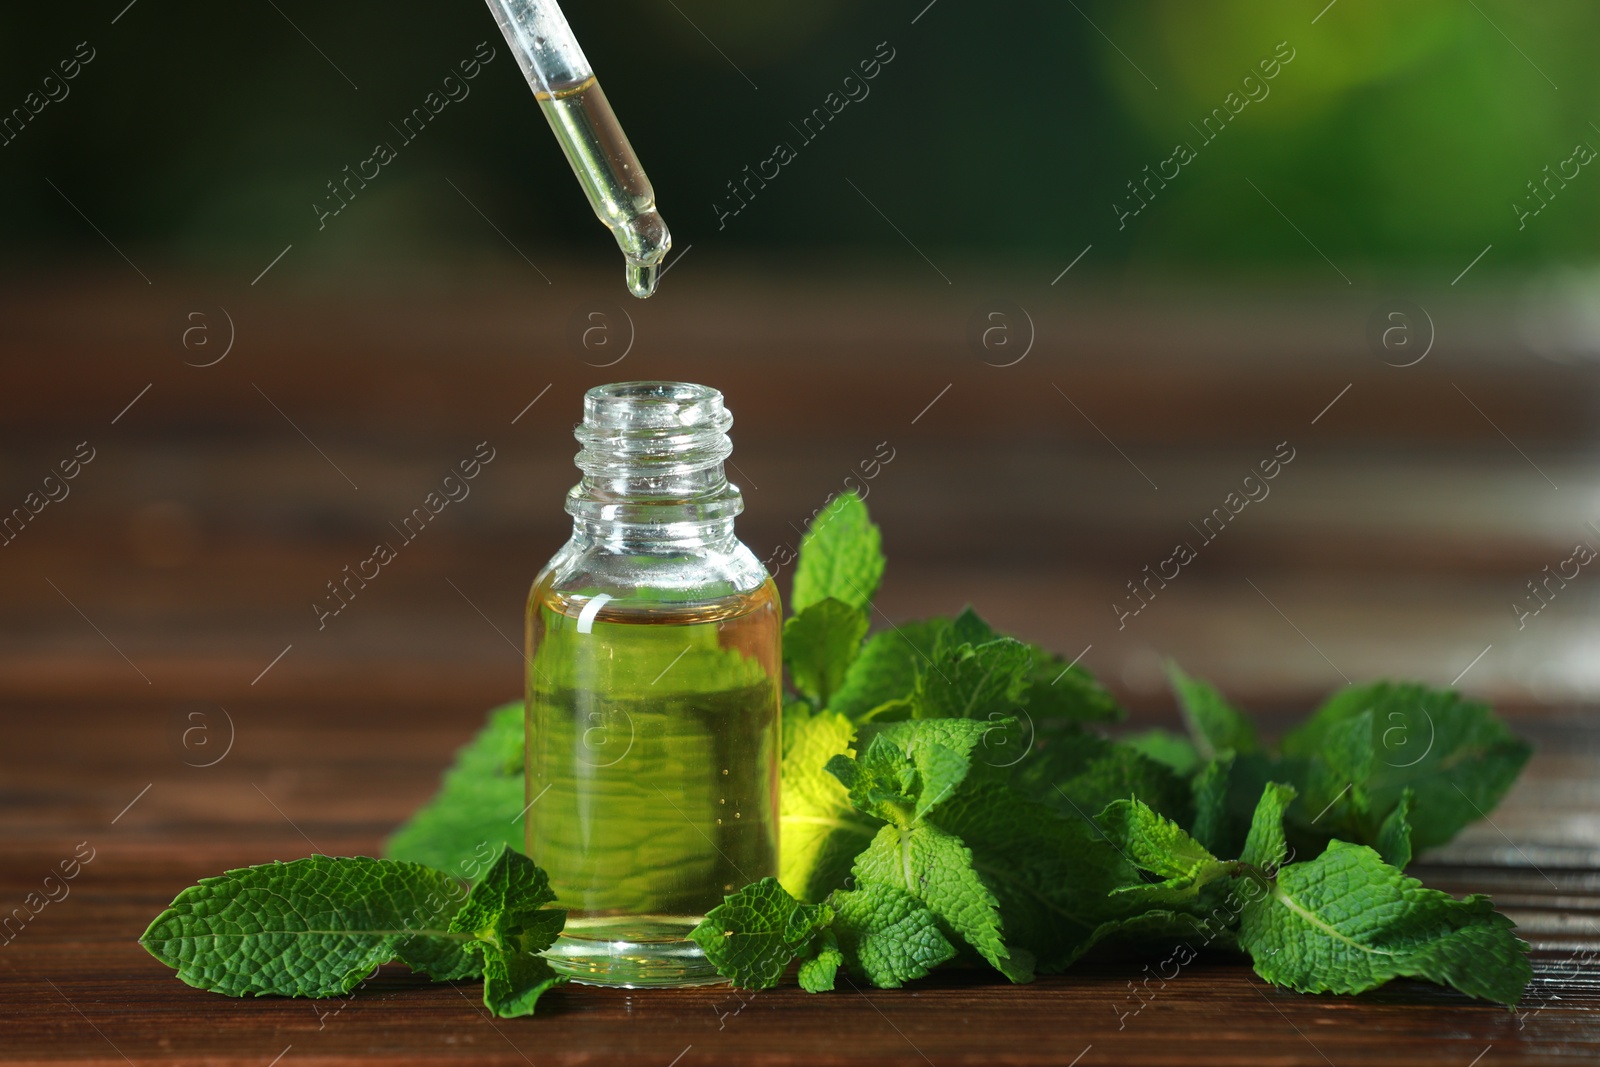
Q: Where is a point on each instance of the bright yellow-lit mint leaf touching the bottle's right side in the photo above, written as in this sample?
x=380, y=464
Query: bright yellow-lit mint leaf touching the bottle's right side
x=822, y=829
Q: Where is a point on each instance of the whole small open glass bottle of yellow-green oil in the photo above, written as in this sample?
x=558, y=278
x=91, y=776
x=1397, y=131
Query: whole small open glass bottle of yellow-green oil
x=654, y=693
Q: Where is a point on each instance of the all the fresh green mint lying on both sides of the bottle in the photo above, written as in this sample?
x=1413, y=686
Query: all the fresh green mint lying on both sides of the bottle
x=948, y=794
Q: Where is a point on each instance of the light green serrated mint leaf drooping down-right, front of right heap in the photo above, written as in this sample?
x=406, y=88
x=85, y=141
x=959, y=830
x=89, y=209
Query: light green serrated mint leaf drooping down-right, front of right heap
x=937, y=868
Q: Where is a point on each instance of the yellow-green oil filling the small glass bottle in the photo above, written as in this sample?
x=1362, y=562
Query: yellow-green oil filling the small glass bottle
x=652, y=773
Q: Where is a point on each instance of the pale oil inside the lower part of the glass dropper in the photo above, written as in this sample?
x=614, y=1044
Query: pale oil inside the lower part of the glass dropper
x=612, y=178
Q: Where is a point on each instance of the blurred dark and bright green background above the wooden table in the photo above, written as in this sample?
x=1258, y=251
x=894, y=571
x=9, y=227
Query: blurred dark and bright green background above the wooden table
x=1399, y=137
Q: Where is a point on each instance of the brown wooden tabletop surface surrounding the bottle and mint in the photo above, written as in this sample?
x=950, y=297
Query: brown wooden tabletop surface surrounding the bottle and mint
x=177, y=580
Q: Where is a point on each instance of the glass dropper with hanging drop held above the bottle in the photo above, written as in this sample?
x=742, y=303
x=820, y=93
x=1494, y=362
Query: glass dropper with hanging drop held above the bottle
x=591, y=137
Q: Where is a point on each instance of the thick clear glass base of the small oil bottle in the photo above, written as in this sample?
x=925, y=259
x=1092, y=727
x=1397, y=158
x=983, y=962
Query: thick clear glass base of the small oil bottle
x=633, y=953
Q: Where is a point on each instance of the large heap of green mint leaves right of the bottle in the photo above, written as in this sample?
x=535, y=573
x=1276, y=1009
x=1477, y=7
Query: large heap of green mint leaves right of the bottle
x=1028, y=863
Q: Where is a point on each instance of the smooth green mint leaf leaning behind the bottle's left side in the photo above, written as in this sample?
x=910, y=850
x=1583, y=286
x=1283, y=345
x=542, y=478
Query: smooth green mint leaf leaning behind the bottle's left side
x=479, y=804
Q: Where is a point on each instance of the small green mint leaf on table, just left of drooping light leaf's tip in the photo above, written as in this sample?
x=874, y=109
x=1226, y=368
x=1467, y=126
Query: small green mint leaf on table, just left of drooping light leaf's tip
x=887, y=935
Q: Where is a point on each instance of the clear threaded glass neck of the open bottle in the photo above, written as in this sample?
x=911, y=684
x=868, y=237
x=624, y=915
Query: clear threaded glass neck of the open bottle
x=654, y=470
